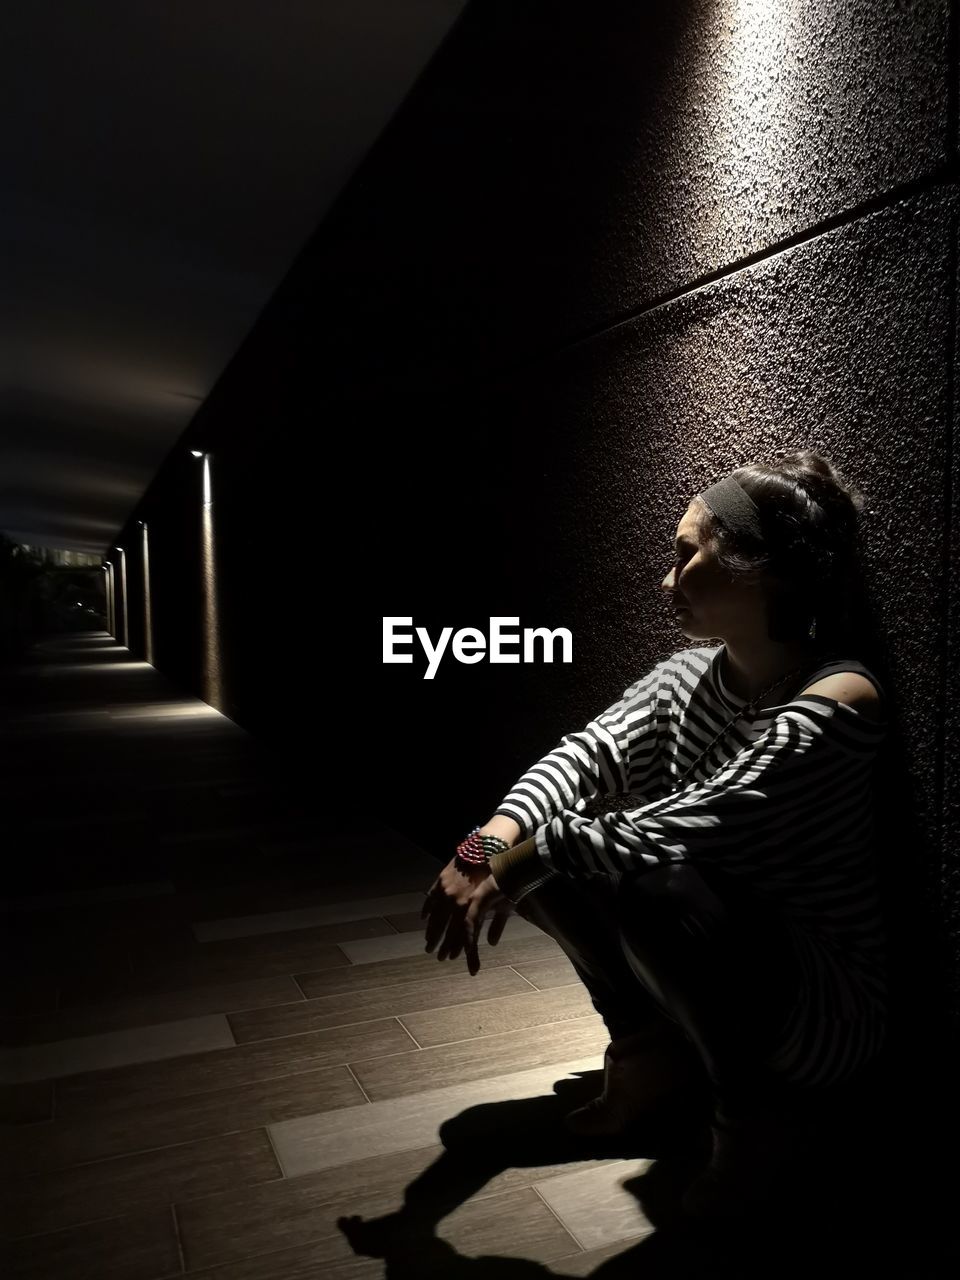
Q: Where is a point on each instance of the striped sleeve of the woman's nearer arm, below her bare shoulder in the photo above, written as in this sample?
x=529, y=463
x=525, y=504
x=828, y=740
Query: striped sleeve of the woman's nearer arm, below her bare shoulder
x=785, y=793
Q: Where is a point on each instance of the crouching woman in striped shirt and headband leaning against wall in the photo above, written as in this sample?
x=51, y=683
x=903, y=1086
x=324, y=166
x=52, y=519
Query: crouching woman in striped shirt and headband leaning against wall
x=702, y=851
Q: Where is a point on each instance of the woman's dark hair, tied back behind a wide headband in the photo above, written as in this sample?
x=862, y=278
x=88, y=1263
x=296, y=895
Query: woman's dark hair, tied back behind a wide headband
x=810, y=514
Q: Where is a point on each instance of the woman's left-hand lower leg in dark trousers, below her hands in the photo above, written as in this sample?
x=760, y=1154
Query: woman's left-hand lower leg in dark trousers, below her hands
x=583, y=918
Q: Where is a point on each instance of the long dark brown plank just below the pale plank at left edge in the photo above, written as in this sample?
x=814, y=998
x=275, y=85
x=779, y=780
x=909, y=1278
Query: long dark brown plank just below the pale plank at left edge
x=150, y=1126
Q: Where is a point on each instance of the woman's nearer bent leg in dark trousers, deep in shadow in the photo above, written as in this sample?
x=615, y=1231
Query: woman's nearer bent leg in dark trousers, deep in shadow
x=720, y=962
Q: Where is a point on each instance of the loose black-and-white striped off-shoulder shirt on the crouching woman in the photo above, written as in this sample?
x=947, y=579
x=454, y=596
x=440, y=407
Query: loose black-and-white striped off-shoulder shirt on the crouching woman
x=785, y=799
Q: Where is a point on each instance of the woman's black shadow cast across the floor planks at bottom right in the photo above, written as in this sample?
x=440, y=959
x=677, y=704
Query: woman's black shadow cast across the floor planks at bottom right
x=877, y=1196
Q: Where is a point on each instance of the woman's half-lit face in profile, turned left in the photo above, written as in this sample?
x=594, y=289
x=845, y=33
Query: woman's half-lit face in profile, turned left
x=711, y=605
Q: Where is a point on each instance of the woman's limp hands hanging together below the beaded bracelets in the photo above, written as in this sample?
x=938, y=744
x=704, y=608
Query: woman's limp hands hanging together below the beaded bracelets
x=456, y=906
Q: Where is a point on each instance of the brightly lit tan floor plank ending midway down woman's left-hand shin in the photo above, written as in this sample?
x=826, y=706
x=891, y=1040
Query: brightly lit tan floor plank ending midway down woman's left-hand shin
x=491, y=1017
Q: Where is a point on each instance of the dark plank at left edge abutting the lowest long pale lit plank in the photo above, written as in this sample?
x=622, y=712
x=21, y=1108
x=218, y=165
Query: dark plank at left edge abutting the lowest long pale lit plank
x=71, y=1197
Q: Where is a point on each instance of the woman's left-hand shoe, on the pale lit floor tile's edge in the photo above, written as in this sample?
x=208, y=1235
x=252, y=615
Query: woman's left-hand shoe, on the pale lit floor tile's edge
x=641, y=1075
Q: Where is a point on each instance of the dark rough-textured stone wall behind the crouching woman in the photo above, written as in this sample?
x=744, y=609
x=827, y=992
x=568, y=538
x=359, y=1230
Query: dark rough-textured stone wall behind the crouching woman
x=598, y=259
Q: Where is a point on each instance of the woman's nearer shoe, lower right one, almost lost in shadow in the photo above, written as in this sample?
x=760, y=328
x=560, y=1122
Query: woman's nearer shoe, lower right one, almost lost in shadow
x=753, y=1160
